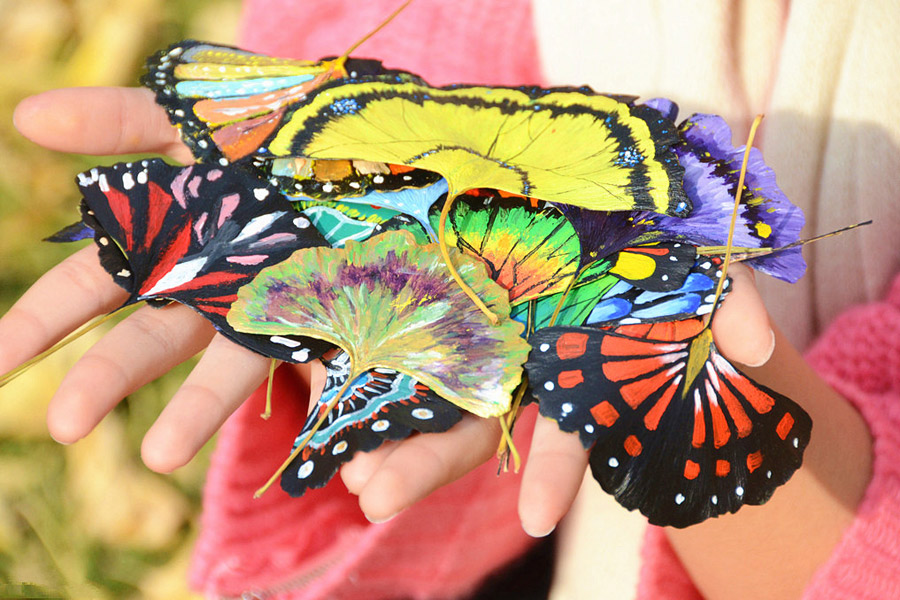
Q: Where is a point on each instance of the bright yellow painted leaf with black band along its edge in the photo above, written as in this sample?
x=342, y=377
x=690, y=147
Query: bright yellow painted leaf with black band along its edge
x=563, y=145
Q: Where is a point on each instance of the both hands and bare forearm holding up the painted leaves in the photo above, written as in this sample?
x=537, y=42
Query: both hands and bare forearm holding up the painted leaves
x=810, y=513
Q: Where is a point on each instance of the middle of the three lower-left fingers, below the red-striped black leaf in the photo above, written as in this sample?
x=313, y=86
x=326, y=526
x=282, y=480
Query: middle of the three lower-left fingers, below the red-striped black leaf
x=142, y=347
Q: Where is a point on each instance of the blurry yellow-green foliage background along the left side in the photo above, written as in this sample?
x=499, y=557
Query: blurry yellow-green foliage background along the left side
x=87, y=520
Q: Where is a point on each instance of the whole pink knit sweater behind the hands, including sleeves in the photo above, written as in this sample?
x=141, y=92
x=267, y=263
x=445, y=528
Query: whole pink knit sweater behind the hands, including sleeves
x=321, y=546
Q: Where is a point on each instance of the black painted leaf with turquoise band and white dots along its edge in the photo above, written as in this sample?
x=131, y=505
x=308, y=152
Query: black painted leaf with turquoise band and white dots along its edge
x=381, y=404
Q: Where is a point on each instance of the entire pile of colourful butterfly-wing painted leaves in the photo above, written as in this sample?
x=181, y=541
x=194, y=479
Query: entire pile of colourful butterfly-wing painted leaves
x=591, y=227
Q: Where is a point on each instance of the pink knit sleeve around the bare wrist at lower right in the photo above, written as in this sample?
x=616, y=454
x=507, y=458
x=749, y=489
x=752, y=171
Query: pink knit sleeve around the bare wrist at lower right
x=859, y=355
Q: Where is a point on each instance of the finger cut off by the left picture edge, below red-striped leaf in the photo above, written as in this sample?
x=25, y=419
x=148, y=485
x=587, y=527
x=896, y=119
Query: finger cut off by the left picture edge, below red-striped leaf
x=67, y=296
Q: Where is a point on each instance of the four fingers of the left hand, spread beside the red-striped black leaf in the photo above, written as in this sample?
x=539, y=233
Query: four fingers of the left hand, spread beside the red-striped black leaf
x=150, y=341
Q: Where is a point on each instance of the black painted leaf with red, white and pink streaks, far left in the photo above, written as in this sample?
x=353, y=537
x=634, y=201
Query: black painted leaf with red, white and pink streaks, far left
x=195, y=235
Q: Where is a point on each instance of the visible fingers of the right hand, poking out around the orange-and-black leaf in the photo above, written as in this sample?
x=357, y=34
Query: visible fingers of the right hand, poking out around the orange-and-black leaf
x=396, y=475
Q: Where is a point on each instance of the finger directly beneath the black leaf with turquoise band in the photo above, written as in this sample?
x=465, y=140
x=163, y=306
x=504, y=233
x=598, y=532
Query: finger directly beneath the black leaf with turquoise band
x=423, y=463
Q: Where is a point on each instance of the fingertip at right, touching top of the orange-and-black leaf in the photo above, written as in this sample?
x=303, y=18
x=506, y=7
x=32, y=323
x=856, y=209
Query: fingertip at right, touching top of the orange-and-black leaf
x=741, y=326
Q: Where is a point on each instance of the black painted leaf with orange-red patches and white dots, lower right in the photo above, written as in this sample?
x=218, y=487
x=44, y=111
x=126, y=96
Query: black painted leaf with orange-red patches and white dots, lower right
x=674, y=430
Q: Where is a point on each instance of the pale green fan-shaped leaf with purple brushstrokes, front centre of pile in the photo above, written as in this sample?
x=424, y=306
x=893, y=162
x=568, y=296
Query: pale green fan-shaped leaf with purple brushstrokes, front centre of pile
x=392, y=304
